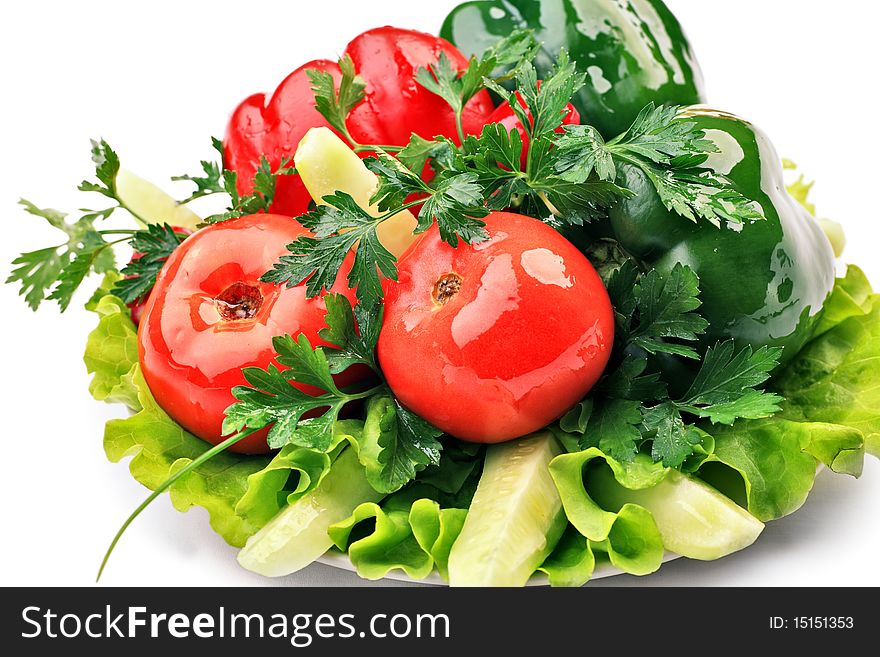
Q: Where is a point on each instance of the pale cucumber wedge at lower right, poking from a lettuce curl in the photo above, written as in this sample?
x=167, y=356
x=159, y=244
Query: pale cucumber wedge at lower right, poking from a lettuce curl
x=694, y=519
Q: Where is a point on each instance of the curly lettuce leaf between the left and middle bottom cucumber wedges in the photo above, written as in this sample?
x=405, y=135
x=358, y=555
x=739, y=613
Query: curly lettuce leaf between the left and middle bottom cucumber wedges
x=410, y=538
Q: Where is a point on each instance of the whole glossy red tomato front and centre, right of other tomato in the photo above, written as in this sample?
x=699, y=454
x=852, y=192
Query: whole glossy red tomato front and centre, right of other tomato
x=495, y=340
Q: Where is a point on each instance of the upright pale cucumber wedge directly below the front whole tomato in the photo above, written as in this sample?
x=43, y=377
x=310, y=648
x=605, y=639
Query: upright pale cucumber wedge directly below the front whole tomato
x=515, y=518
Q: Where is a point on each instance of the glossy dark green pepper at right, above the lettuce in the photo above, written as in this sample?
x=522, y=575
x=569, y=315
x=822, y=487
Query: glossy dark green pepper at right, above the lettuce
x=762, y=282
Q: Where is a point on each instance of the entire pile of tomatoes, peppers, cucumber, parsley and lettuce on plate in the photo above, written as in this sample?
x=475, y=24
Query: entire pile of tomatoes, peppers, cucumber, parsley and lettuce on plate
x=505, y=301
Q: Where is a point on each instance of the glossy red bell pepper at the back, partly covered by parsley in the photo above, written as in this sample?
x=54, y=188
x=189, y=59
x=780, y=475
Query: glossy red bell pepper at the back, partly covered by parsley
x=395, y=106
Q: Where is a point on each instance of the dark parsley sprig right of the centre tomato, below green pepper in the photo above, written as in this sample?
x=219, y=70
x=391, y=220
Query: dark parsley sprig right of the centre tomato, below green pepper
x=656, y=314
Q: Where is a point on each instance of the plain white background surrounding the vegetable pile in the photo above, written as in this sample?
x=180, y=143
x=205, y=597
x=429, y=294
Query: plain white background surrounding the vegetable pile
x=158, y=79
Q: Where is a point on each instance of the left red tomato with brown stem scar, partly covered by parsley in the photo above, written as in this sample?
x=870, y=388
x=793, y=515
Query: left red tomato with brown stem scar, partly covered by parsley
x=209, y=316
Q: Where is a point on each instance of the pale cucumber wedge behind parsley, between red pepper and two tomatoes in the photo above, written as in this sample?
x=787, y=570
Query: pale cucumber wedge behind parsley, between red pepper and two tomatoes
x=326, y=164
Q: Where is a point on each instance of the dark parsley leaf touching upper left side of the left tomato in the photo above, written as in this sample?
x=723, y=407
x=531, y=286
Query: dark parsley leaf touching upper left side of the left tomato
x=154, y=245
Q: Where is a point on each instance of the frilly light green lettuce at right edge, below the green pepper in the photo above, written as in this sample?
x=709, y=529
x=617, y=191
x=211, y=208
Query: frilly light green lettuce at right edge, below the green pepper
x=831, y=413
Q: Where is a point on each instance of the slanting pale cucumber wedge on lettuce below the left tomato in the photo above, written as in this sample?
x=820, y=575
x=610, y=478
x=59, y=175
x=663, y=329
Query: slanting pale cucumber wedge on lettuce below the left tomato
x=298, y=534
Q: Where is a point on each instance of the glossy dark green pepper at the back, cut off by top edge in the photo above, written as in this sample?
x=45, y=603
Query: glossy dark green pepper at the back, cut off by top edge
x=633, y=51
